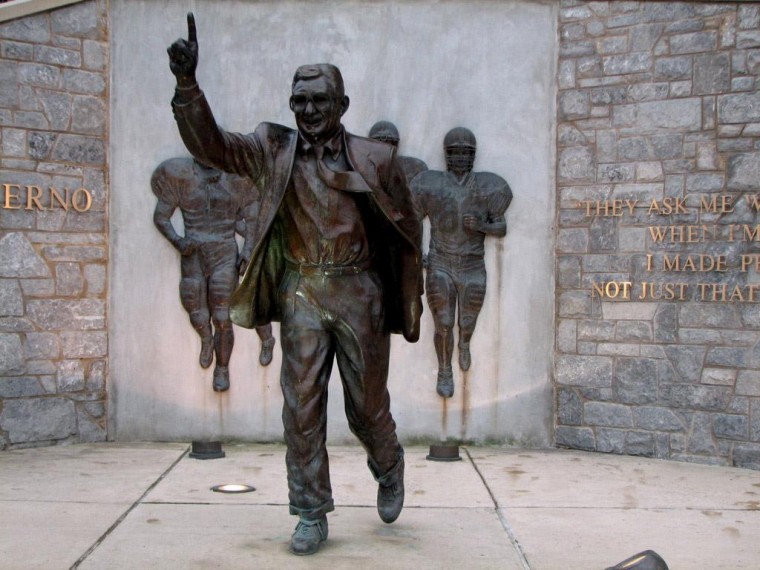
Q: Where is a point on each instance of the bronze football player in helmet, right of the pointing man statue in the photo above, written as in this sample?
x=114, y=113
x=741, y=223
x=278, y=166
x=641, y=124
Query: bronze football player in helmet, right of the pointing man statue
x=464, y=207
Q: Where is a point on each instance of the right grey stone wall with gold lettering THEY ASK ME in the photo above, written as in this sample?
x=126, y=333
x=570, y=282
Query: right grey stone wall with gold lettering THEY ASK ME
x=658, y=166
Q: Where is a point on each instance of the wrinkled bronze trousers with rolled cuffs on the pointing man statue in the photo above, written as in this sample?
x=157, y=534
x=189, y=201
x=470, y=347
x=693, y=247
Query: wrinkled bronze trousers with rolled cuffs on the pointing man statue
x=326, y=318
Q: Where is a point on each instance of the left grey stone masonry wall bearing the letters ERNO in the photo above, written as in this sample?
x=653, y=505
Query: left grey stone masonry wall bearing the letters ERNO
x=53, y=248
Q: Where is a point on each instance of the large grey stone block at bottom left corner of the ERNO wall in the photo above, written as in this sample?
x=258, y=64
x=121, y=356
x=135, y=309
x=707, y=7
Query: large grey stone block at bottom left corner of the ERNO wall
x=29, y=420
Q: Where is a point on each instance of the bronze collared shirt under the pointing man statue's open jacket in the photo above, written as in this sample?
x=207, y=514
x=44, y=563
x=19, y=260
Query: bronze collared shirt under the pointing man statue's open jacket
x=322, y=225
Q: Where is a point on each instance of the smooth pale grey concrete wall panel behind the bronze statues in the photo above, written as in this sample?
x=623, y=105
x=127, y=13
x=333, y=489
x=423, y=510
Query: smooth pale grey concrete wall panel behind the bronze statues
x=427, y=66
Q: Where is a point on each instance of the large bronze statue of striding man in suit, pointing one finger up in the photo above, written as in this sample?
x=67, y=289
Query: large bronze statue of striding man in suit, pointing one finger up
x=336, y=259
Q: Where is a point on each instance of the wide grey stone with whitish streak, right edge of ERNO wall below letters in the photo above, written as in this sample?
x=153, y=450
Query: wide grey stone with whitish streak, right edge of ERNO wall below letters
x=59, y=314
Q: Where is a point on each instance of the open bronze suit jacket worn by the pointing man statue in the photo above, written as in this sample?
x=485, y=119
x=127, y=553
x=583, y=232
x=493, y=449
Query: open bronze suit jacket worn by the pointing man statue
x=266, y=156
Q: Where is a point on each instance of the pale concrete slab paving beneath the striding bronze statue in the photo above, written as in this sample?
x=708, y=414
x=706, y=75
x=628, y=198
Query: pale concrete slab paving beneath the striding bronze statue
x=146, y=506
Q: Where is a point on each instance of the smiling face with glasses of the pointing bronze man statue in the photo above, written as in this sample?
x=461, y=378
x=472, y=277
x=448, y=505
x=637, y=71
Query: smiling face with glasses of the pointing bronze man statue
x=318, y=108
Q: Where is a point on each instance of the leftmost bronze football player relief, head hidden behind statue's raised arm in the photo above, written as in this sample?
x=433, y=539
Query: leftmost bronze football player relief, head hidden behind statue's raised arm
x=212, y=204
